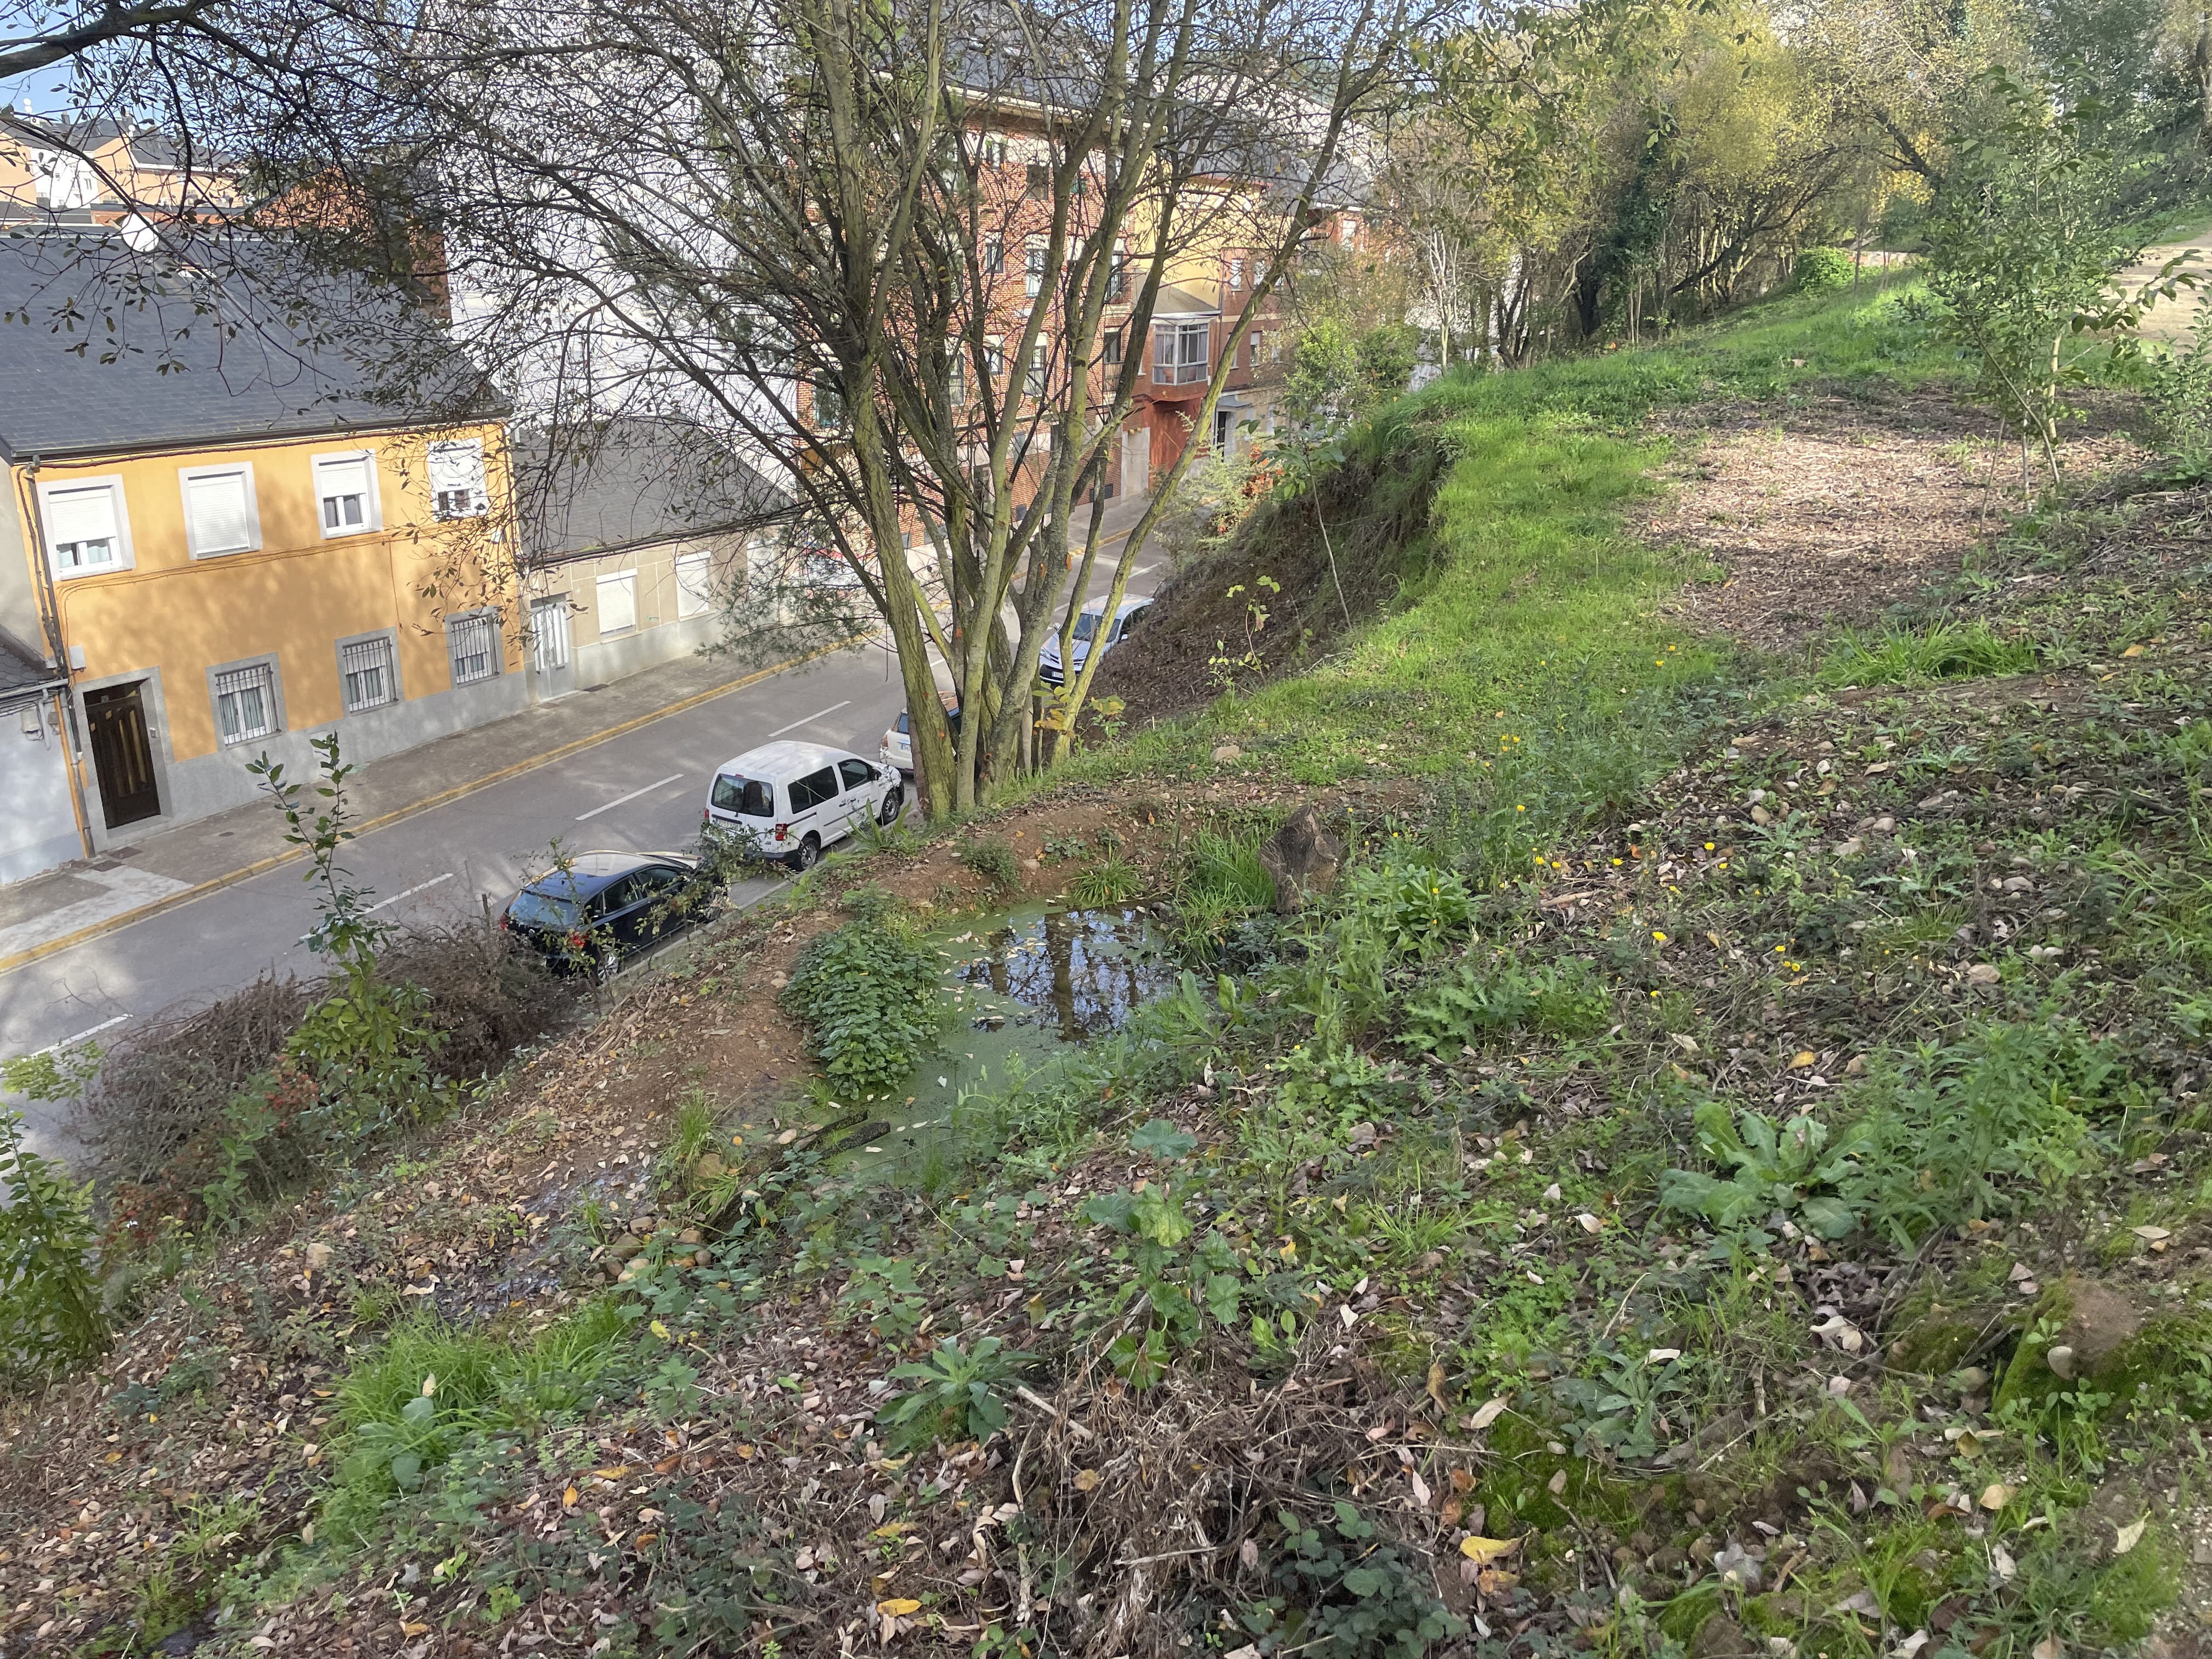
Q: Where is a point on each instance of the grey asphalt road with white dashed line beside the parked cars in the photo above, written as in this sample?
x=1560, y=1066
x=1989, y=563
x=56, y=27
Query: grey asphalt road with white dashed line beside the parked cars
x=636, y=793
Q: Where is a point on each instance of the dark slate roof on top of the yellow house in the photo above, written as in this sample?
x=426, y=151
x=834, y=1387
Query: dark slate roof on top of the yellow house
x=105, y=348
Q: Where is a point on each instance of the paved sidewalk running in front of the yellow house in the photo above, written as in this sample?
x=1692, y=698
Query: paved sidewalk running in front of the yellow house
x=94, y=897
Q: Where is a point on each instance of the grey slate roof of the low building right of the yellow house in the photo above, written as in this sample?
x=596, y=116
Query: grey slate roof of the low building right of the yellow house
x=632, y=483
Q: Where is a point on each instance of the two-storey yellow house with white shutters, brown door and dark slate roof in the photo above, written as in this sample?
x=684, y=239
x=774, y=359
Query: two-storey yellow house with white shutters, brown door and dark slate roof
x=227, y=545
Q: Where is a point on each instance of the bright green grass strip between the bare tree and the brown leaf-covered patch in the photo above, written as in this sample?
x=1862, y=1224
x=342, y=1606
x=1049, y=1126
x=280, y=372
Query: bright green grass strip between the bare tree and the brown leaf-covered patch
x=1527, y=643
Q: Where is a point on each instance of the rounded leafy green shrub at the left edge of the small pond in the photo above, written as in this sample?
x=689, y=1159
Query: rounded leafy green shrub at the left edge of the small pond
x=868, y=994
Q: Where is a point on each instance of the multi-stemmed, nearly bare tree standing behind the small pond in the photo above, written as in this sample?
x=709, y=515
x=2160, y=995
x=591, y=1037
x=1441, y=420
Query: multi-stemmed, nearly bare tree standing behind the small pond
x=901, y=260
